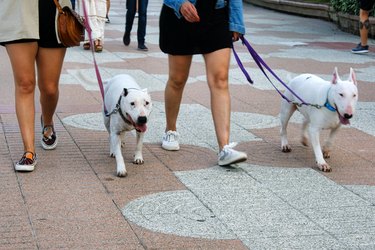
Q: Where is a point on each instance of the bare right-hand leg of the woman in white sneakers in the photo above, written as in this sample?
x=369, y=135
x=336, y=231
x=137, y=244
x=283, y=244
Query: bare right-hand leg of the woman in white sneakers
x=217, y=66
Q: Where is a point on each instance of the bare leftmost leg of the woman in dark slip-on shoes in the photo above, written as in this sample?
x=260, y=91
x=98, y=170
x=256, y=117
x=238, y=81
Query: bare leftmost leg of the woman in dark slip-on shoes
x=22, y=57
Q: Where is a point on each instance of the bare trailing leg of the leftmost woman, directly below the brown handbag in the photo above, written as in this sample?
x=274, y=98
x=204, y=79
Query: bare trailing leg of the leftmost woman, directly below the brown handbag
x=49, y=63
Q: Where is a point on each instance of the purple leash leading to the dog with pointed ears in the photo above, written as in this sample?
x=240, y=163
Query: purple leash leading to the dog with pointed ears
x=259, y=61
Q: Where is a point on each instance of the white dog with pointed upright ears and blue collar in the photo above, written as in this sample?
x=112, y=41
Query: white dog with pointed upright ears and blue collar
x=335, y=100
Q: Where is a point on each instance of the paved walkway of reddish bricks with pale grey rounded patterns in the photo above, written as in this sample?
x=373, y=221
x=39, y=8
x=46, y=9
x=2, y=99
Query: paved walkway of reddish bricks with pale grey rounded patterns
x=183, y=200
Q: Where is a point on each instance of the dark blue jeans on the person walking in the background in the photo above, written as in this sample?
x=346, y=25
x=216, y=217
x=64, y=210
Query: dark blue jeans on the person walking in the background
x=142, y=18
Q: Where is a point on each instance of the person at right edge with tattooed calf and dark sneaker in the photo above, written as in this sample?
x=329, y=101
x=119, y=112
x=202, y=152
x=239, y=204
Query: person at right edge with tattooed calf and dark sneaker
x=364, y=25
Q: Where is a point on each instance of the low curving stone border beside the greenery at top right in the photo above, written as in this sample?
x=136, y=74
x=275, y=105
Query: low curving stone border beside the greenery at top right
x=345, y=22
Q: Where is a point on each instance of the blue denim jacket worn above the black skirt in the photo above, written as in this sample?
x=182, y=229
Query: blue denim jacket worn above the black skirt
x=236, y=22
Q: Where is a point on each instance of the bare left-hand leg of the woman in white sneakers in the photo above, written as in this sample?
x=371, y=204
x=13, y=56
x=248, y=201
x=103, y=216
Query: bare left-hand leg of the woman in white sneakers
x=179, y=67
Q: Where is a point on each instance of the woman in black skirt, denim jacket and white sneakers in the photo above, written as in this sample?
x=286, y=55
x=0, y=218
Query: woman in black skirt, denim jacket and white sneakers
x=206, y=27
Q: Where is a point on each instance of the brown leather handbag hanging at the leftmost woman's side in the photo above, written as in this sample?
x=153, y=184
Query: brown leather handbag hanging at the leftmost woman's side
x=70, y=26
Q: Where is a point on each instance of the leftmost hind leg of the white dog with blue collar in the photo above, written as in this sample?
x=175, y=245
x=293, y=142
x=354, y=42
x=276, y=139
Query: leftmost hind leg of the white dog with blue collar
x=286, y=112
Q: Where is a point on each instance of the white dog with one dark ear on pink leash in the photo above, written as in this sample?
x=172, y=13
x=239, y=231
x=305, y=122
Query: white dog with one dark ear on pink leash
x=126, y=107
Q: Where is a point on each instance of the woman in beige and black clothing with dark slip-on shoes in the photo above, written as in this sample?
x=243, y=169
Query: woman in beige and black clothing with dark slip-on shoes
x=29, y=36
